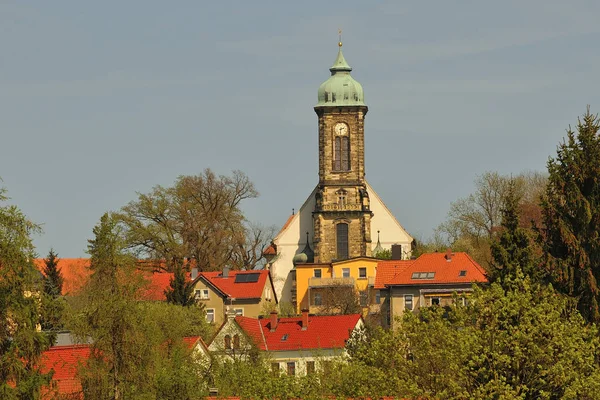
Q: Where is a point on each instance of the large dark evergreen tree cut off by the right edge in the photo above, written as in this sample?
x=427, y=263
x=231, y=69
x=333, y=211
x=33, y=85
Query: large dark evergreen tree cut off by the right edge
x=570, y=235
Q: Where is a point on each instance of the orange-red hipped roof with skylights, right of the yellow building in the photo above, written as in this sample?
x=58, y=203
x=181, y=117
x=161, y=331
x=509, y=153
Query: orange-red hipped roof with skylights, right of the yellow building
x=445, y=271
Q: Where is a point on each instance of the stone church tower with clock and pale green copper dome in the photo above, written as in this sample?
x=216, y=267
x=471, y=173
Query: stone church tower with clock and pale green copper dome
x=342, y=215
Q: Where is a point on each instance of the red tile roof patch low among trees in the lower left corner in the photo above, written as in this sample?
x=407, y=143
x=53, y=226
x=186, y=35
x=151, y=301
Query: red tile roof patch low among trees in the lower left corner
x=64, y=361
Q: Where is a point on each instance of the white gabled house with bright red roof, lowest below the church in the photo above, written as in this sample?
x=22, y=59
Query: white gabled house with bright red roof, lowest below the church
x=296, y=345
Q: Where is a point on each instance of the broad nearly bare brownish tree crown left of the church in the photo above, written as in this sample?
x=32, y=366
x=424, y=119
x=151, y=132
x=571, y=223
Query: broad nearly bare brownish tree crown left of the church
x=198, y=218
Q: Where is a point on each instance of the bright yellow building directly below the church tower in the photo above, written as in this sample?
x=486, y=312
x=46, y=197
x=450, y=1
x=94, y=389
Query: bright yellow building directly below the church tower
x=335, y=287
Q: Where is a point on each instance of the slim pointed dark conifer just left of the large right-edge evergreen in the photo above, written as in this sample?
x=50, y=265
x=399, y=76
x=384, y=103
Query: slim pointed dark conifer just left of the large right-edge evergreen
x=511, y=250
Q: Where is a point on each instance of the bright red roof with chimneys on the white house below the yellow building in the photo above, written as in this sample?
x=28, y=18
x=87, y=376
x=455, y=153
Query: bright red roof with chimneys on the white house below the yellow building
x=323, y=332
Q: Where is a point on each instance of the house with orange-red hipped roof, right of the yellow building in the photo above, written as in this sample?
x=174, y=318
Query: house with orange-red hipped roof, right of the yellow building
x=430, y=280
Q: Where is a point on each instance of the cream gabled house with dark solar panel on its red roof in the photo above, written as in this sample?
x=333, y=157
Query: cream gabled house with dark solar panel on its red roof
x=247, y=293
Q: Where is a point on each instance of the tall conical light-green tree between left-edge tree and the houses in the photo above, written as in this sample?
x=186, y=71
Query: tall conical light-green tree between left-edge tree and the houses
x=111, y=320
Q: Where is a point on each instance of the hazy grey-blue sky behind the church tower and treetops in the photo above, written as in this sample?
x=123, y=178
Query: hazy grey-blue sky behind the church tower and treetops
x=100, y=100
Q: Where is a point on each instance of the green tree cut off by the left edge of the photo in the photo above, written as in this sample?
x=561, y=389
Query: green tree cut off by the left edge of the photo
x=21, y=343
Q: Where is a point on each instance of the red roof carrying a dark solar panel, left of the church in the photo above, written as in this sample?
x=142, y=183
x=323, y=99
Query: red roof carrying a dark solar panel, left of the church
x=238, y=290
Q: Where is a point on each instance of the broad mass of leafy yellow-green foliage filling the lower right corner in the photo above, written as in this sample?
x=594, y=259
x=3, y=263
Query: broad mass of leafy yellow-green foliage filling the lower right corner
x=520, y=340
